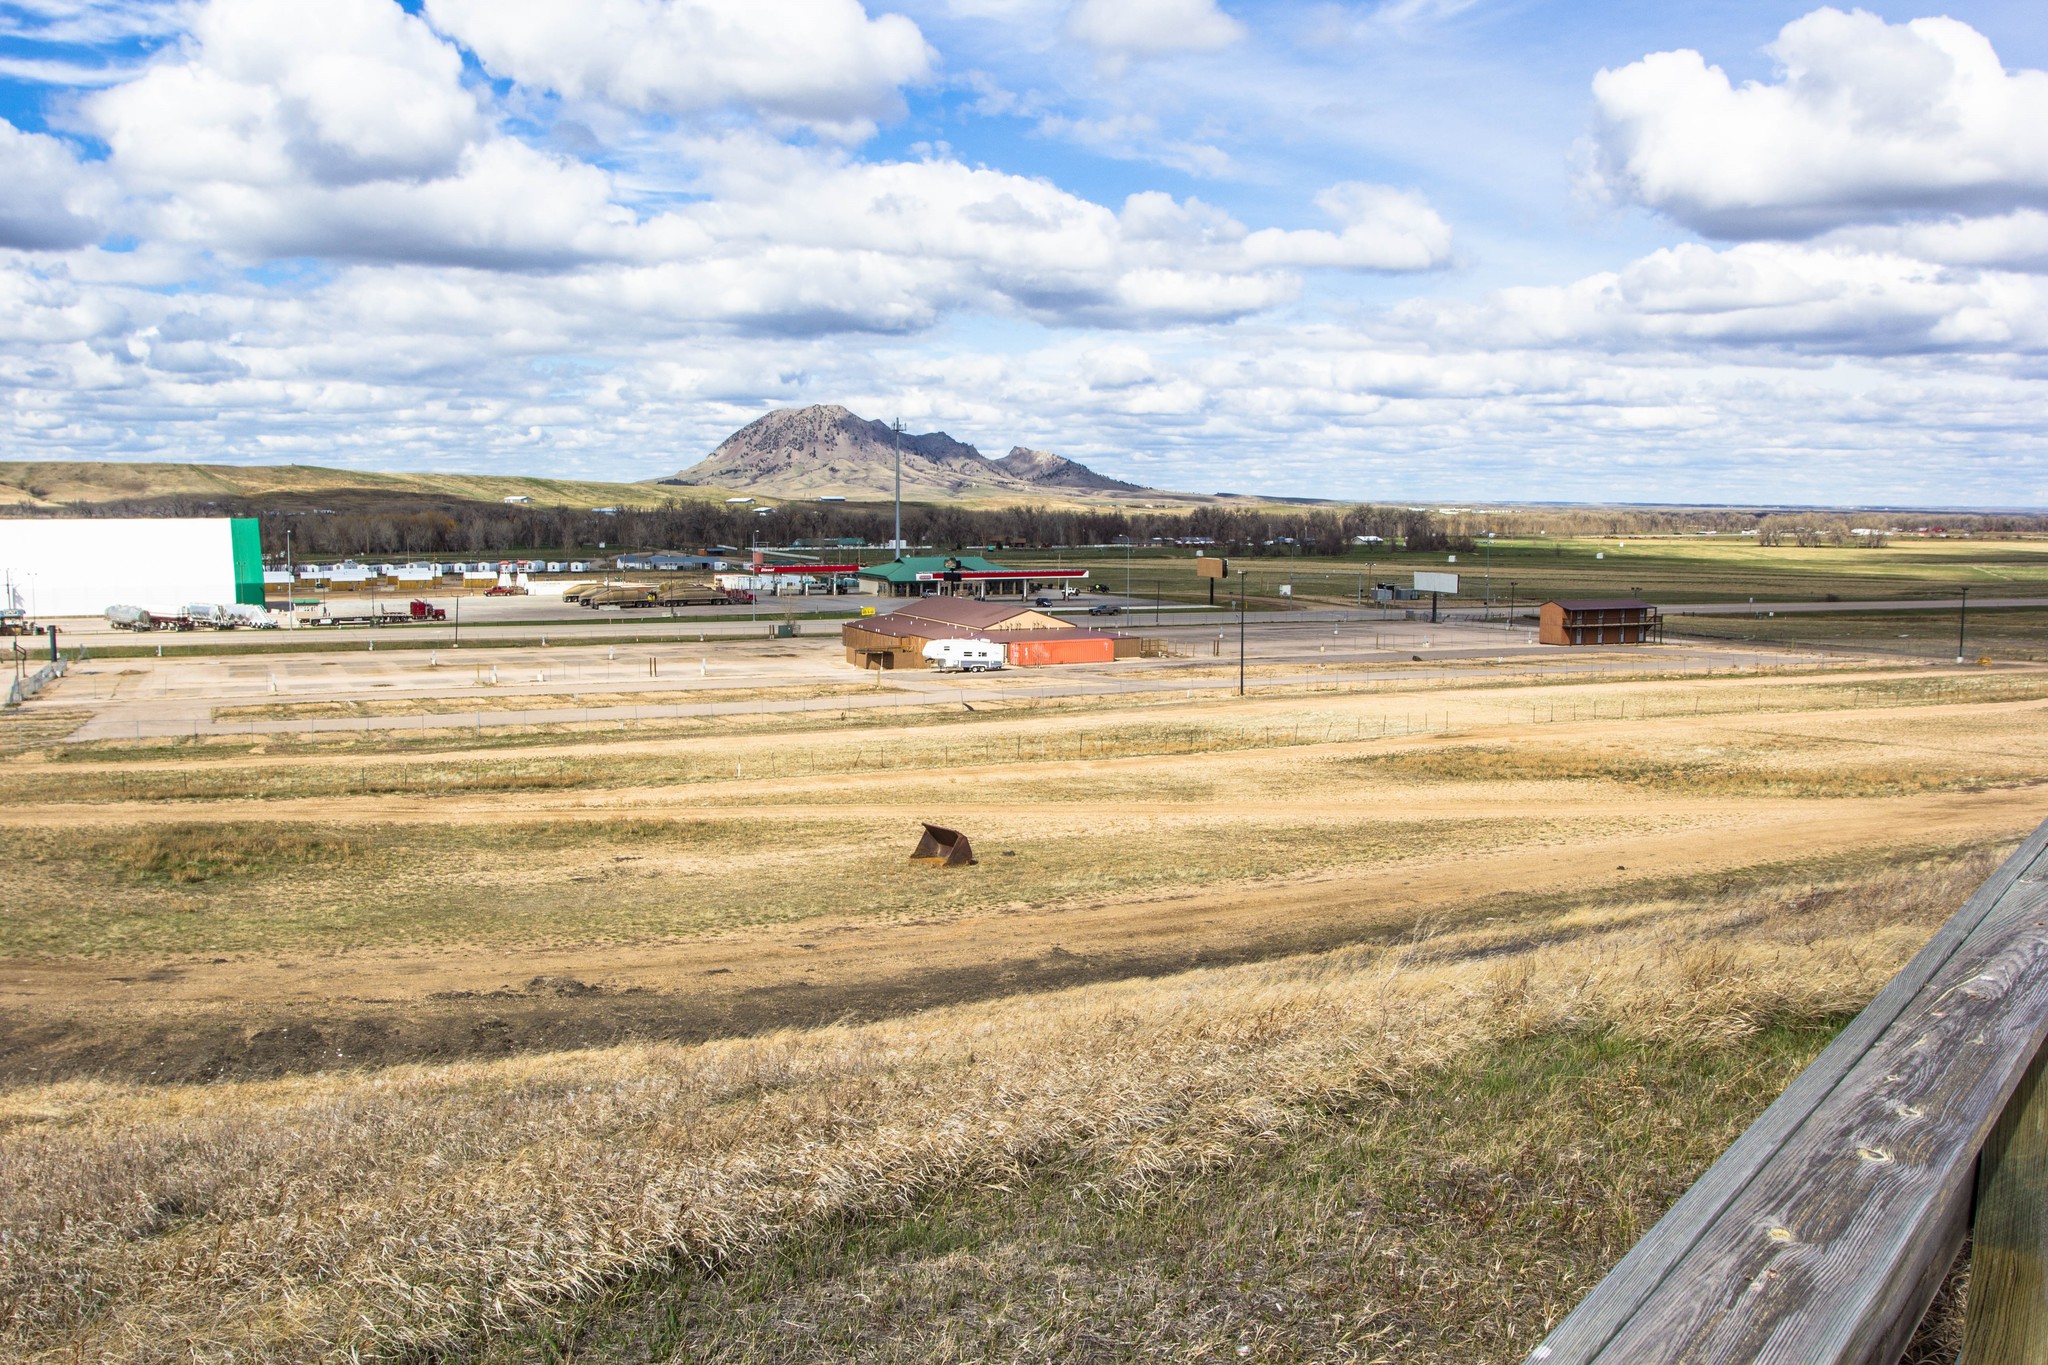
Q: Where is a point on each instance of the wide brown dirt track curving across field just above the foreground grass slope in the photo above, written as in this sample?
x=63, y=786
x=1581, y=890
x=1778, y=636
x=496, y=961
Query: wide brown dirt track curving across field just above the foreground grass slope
x=191, y=1020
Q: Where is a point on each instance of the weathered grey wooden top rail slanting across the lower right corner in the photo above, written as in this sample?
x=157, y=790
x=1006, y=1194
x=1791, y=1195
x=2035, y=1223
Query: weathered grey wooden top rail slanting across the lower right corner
x=1826, y=1231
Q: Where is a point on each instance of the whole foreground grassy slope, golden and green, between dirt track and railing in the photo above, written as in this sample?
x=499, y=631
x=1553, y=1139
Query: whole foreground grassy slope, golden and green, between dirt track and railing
x=1340, y=1155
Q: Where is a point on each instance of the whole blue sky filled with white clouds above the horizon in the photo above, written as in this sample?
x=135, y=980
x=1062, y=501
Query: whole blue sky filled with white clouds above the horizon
x=1410, y=249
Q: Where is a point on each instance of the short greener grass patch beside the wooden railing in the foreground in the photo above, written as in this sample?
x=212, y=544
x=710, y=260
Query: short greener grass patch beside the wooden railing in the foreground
x=1445, y=1219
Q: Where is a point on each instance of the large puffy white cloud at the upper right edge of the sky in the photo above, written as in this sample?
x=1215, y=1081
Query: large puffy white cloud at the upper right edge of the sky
x=1865, y=124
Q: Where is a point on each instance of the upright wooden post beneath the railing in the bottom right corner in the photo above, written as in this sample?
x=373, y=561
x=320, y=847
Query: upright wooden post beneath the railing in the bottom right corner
x=2008, y=1315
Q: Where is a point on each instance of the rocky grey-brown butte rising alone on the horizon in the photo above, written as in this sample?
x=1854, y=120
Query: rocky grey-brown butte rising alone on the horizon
x=828, y=451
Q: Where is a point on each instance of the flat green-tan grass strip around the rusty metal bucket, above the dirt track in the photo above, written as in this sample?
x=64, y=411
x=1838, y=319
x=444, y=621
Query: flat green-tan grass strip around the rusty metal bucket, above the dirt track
x=198, y=889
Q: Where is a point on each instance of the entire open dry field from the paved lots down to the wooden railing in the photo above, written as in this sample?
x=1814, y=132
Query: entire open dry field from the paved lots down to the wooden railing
x=1351, y=1020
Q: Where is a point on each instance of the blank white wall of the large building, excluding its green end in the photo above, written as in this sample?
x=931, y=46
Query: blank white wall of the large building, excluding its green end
x=85, y=566
